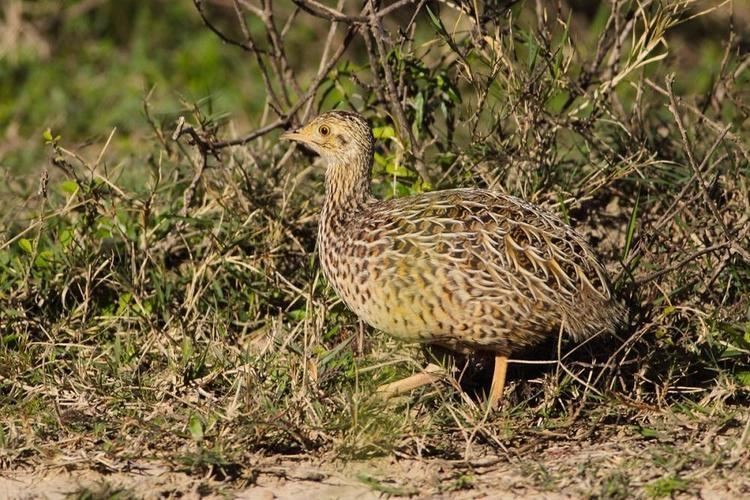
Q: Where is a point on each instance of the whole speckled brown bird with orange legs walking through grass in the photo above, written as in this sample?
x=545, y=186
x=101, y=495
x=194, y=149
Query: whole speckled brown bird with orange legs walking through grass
x=468, y=270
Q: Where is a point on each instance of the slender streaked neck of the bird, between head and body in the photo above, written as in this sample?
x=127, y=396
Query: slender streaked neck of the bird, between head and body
x=348, y=183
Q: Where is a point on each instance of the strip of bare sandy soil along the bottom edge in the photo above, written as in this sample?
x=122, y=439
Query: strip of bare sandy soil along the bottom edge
x=702, y=462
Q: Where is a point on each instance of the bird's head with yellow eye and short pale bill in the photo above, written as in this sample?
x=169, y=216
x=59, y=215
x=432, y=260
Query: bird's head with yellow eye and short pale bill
x=337, y=136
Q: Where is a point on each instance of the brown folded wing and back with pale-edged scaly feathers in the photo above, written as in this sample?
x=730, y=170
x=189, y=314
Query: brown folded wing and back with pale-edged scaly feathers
x=499, y=242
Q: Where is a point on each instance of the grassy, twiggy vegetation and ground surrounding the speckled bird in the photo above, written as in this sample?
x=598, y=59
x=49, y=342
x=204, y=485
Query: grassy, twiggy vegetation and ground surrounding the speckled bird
x=162, y=311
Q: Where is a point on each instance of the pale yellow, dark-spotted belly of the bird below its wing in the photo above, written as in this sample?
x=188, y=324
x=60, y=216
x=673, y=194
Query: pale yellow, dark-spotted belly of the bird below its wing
x=421, y=301
